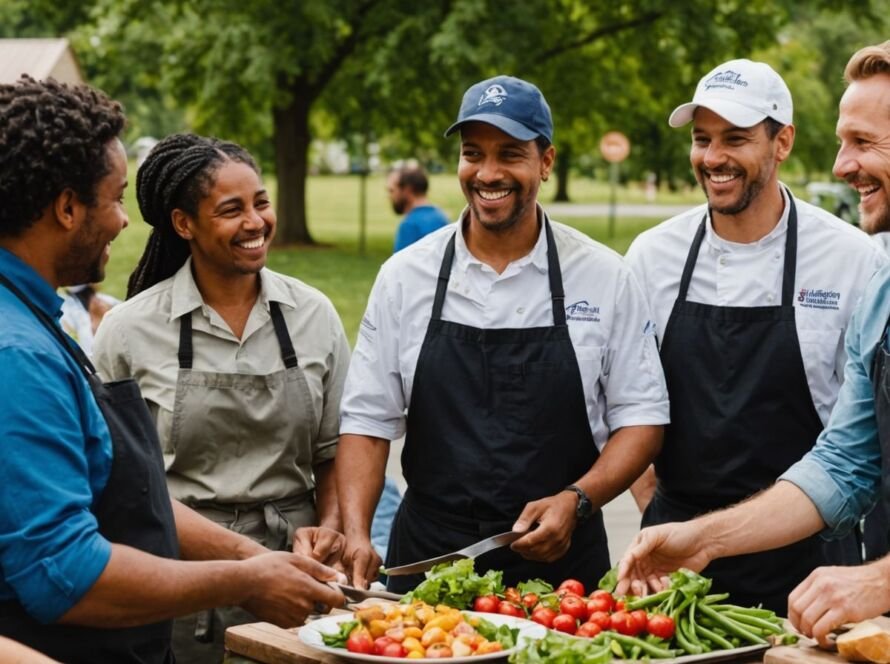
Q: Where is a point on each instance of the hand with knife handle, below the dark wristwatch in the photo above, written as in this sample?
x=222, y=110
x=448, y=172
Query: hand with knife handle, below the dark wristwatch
x=555, y=516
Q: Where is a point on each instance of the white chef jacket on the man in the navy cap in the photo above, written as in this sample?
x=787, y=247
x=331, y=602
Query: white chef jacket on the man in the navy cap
x=606, y=311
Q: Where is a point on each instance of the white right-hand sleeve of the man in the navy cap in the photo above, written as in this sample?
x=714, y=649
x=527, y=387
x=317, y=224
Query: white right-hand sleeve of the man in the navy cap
x=633, y=380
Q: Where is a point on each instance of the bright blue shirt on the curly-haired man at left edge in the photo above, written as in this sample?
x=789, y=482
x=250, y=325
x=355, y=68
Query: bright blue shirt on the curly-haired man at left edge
x=56, y=457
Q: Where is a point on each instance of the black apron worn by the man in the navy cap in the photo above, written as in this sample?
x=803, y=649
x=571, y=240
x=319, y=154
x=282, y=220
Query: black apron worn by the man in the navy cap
x=497, y=419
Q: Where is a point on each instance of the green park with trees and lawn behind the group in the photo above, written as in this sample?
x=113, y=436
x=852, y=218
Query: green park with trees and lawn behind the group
x=376, y=82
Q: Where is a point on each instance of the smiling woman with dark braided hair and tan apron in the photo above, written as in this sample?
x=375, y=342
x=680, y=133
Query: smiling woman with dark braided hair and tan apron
x=242, y=368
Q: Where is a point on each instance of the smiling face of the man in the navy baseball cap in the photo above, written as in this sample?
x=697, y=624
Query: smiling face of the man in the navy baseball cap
x=500, y=176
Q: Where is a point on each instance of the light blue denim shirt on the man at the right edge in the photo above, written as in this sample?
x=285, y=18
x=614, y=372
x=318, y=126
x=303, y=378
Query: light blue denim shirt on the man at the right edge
x=842, y=473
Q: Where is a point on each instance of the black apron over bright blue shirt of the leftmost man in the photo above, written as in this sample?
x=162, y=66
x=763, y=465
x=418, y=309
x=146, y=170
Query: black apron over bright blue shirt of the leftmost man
x=134, y=509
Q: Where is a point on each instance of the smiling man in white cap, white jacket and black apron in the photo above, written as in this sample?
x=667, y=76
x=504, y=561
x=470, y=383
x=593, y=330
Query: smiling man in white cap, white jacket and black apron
x=751, y=295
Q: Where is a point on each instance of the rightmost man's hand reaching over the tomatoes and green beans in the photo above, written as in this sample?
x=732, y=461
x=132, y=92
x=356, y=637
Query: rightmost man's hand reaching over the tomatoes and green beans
x=655, y=553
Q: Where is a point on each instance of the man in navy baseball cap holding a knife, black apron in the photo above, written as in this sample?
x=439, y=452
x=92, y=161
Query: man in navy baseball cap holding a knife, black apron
x=516, y=356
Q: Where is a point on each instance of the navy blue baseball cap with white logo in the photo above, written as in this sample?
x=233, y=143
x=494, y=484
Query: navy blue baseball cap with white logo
x=514, y=106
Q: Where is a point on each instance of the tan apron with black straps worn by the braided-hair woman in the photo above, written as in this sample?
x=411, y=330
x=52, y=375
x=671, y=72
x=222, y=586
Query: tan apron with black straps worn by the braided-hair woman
x=242, y=457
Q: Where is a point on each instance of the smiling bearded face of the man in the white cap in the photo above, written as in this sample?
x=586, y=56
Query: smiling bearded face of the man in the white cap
x=734, y=164
